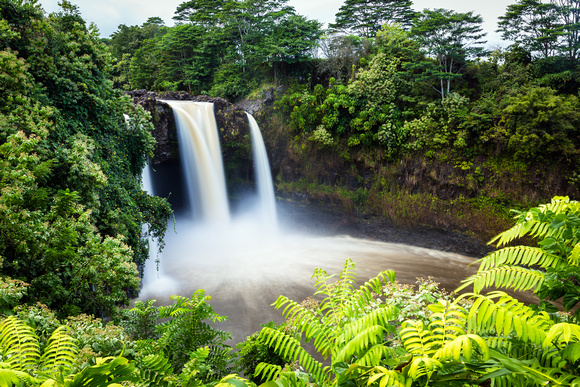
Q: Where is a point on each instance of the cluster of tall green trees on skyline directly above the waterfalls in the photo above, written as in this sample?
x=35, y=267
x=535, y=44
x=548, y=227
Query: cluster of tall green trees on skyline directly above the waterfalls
x=221, y=48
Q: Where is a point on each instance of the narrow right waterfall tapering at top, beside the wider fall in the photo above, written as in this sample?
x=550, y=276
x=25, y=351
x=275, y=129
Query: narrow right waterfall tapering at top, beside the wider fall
x=264, y=185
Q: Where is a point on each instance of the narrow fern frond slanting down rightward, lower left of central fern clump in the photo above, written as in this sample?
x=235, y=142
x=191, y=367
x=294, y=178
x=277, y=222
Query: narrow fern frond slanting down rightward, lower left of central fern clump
x=288, y=347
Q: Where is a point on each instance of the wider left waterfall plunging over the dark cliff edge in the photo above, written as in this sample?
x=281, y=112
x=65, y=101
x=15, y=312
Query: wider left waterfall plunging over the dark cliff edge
x=201, y=159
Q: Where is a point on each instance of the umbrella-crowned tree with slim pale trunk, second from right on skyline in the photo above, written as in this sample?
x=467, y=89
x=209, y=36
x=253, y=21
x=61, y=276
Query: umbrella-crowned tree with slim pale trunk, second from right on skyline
x=450, y=38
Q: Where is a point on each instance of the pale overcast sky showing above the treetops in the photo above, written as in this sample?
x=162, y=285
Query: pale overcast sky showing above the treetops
x=108, y=14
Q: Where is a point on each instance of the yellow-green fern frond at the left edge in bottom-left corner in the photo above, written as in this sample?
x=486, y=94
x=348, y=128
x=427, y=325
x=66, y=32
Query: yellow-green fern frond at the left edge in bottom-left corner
x=19, y=344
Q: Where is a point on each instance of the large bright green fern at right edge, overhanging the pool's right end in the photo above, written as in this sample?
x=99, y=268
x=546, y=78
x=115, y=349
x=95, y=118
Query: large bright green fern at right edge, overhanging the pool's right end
x=550, y=269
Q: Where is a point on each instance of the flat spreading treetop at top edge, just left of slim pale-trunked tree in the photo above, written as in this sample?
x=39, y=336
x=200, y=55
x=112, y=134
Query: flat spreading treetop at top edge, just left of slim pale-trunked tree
x=365, y=17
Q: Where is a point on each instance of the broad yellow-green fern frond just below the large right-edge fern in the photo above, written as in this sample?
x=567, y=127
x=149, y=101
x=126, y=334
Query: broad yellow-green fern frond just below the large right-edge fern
x=506, y=315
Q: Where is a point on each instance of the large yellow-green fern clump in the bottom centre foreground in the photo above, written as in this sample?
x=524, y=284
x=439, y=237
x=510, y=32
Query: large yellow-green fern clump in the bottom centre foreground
x=339, y=326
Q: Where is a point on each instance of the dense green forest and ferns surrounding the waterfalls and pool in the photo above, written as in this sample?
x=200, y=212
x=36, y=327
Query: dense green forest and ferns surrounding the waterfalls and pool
x=390, y=111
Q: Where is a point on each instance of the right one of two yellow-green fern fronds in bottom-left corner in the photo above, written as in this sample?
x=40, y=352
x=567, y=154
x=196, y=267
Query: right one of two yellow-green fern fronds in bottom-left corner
x=61, y=351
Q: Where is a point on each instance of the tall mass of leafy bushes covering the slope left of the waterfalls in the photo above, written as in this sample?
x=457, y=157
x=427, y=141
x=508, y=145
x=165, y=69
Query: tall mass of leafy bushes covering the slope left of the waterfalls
x=72, y=207
